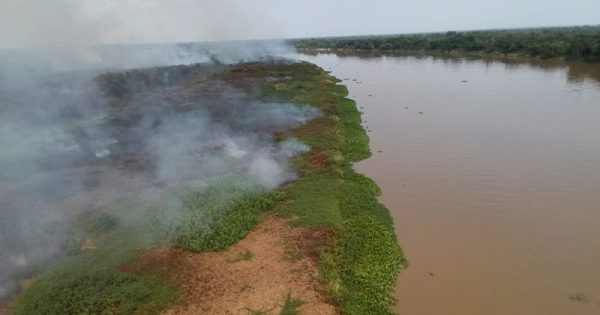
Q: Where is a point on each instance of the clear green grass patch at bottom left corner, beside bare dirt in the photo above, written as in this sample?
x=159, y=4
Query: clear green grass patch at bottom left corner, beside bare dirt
x=93, y=290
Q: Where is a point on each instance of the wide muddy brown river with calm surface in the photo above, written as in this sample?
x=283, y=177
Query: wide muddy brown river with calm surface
x=491, y=170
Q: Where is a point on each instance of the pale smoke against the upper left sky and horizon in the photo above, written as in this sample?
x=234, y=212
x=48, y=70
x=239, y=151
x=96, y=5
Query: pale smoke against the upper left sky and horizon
x=42, y=36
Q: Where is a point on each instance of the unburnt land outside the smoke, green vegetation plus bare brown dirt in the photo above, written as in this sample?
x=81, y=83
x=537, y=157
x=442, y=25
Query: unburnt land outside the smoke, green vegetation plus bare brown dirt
x=321, y=243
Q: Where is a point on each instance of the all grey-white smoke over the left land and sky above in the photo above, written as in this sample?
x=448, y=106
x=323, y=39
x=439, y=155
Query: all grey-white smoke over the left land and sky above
x=76, y=142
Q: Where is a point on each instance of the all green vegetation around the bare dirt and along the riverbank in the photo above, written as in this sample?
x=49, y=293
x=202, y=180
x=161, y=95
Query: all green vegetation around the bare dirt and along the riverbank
x=358, y=263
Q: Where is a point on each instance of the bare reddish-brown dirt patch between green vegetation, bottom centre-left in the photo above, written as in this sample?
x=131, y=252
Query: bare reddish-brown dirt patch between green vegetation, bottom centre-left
x=256, y=274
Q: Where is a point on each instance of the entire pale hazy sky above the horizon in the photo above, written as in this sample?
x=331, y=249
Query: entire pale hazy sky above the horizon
x=58, y=22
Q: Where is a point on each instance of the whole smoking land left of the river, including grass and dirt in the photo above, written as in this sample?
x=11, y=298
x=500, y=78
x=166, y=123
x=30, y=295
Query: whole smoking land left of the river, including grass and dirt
x=128, y=192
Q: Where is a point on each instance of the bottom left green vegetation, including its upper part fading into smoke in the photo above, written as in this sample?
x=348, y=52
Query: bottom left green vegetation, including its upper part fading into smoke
x=93, y=282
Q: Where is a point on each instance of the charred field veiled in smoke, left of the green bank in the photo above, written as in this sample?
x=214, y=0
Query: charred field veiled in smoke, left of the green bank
x=140, y=137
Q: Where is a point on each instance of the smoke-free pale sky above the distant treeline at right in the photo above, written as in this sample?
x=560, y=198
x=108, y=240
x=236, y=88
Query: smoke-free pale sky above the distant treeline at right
x=318, y=18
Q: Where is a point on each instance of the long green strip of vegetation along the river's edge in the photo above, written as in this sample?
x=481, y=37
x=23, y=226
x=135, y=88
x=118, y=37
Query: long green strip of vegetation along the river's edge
x=363, y=260
